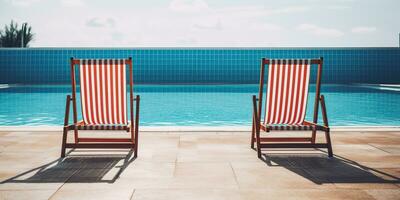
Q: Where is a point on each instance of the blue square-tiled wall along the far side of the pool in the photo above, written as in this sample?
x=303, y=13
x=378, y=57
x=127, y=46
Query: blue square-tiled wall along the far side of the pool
x=201, y=65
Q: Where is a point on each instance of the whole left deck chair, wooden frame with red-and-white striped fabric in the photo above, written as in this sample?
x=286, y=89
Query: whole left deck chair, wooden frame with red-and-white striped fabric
x=103, y=104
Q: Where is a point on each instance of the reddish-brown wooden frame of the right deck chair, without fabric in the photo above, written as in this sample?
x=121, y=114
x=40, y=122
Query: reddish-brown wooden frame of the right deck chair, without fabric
x=291, y=142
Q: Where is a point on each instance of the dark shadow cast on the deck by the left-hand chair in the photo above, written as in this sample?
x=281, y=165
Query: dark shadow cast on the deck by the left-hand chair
x=77, y=169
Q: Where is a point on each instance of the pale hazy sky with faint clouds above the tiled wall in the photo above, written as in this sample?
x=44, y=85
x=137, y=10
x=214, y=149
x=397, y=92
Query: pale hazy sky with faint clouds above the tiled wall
x=207, y=23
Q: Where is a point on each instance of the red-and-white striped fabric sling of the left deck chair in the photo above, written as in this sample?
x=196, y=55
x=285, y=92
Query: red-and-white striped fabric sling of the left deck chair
x=103, y=92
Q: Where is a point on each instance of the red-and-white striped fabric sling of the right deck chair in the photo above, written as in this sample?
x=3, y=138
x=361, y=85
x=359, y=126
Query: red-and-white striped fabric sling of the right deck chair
x=287, y=93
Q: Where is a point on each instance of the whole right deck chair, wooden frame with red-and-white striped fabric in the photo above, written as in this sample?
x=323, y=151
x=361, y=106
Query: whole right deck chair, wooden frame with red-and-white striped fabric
x=285, y=105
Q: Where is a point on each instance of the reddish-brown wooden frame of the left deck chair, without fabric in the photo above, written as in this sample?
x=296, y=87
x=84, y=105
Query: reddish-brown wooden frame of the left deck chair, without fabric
x=81, y=142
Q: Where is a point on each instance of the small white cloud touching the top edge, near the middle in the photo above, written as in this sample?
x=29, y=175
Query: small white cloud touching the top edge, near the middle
x=188, y=5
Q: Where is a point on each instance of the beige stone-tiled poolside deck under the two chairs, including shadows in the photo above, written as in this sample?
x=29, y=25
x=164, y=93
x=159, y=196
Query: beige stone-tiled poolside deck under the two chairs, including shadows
x=201, y=165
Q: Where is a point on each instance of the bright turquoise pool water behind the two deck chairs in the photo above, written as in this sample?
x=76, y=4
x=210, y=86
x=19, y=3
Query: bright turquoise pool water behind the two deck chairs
x=203, y=105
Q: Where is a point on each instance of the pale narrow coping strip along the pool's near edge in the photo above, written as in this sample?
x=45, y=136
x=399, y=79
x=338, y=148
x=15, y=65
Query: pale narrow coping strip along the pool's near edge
x=202, y=128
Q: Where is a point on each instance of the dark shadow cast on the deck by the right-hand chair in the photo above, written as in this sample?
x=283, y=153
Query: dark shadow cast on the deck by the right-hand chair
x=321, y=169
